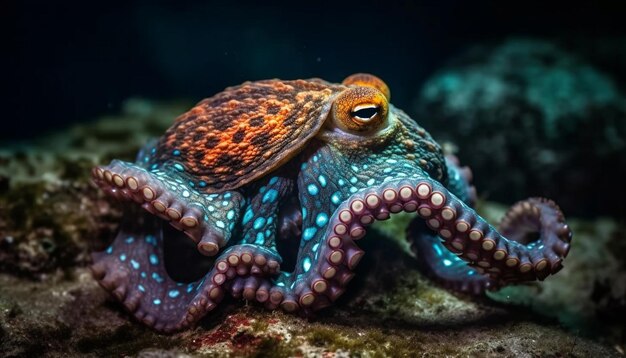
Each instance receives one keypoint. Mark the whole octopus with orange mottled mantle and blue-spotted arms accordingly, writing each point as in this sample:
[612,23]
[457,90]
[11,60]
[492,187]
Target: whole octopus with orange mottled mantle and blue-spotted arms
[267,188]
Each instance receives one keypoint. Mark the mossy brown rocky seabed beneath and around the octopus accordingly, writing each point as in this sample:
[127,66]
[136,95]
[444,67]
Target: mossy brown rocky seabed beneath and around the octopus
[50,215]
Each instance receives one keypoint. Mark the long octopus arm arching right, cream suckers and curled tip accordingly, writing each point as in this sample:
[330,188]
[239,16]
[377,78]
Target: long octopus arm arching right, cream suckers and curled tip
[480,256]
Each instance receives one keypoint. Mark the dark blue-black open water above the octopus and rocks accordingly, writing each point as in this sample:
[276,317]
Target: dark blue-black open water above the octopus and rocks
[71,61]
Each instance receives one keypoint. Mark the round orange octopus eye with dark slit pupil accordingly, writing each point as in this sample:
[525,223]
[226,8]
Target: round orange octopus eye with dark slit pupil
[360,109]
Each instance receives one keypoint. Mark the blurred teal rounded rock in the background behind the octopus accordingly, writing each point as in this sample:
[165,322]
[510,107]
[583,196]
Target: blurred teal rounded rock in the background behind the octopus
[532,119]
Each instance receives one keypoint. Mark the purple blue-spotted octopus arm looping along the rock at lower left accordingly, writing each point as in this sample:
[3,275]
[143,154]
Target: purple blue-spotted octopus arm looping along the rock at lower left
[133,270]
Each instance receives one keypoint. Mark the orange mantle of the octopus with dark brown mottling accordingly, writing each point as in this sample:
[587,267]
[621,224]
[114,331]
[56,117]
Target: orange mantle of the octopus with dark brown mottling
[246,131]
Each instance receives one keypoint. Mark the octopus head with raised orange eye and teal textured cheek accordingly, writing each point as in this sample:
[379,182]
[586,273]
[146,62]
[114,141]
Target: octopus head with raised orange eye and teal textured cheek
[362,123]
